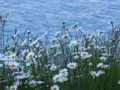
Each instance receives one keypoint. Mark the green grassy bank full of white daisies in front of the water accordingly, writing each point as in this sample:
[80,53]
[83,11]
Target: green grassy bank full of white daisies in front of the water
[73,60]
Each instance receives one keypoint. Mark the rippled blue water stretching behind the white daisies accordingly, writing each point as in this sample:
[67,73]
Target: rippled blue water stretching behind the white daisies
[46,15]
